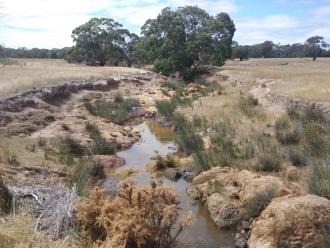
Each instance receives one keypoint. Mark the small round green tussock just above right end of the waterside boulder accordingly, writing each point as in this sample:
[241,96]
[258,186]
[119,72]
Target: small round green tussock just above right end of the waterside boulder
[269,162]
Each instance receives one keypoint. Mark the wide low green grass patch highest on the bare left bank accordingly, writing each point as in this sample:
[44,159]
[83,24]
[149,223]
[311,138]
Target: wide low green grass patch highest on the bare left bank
[116,111]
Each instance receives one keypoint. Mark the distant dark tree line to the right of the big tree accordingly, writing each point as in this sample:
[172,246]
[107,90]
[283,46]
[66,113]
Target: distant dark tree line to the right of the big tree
[313,47]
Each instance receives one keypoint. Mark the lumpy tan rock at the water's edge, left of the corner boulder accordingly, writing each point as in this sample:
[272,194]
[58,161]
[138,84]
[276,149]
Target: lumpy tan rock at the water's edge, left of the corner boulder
[234,189]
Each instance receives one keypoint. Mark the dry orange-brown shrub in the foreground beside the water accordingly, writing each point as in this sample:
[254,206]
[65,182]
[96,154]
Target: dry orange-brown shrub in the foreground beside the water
[139,216]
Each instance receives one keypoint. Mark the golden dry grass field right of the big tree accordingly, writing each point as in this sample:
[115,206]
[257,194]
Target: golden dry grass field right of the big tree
[295,77]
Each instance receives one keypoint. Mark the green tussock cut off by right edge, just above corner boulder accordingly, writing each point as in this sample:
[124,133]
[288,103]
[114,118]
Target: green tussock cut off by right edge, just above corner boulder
[318,179]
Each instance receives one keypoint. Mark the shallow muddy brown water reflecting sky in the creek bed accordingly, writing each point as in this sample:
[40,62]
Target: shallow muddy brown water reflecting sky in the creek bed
[202,233]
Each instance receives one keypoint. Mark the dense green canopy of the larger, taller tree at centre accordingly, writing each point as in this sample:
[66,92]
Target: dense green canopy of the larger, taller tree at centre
[186,39]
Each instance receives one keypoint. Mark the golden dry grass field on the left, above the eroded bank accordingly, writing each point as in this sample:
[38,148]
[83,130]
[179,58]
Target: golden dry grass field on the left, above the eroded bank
[29,73]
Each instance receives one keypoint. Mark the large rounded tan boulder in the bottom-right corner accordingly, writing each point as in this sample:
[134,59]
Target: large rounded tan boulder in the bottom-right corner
[292,221]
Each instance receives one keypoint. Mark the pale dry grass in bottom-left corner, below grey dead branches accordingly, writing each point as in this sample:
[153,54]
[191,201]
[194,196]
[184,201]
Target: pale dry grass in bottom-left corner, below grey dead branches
[19,233]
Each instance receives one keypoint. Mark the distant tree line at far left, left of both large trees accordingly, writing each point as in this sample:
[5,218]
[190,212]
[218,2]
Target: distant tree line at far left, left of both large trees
[23,52]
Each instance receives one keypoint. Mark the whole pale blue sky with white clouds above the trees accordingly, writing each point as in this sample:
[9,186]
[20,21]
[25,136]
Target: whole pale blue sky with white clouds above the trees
[48,23]
